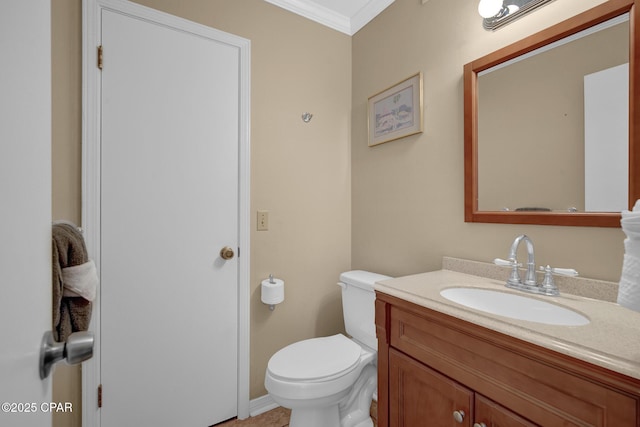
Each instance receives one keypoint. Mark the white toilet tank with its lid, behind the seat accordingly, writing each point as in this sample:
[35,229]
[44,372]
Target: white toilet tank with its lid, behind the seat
[358,305]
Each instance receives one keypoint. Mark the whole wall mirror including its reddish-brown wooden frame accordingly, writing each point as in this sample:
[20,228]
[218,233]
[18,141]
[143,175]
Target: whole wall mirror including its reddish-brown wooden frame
[546,141]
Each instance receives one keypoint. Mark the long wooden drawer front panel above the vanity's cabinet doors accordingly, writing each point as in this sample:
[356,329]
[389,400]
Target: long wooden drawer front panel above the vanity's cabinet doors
[508,371]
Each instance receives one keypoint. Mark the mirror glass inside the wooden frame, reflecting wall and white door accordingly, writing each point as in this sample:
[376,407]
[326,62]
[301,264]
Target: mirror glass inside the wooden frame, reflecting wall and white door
[534,114]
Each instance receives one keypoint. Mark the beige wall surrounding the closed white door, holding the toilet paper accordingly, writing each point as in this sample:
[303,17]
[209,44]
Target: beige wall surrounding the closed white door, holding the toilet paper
[300,172]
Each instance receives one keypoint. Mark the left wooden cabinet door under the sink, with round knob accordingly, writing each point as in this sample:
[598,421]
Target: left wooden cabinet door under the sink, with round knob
[420,396]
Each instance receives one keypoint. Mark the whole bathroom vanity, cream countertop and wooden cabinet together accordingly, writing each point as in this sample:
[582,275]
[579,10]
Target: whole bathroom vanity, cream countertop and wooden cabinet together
[443,364]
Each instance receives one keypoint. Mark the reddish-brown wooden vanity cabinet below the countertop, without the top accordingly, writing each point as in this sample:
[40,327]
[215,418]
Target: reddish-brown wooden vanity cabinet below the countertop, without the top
[431,365]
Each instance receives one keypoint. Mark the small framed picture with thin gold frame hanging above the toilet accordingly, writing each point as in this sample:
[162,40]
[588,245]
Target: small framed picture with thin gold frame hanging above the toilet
[396,112]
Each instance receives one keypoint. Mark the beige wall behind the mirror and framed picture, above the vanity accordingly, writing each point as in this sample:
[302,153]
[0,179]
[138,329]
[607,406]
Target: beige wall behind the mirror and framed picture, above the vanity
[407,199]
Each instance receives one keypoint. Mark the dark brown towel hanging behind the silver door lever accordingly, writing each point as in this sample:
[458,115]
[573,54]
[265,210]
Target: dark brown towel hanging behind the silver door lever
[70,314]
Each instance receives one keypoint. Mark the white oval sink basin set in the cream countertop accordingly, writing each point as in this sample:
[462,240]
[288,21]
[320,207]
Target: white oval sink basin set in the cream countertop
[514,306]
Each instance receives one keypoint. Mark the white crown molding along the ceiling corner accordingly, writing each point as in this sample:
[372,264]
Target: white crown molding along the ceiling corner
[332,19]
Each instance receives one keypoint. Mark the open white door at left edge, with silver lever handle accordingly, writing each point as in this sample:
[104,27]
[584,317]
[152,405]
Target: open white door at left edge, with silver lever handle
[25,222]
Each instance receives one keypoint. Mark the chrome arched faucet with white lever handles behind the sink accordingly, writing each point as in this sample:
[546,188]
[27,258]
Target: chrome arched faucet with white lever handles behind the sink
[547,286]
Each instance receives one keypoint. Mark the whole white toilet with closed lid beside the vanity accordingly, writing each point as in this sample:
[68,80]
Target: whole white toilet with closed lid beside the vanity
[330,381]
